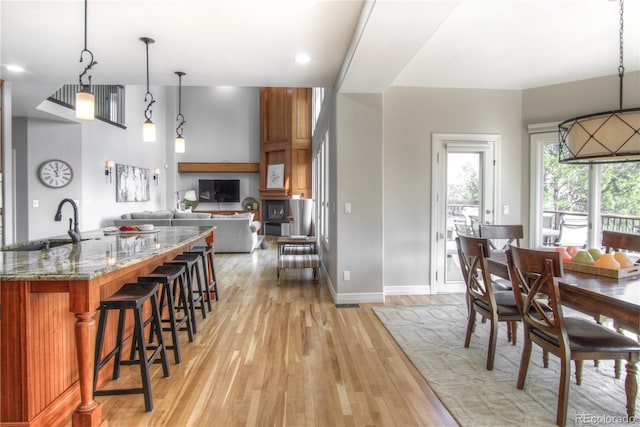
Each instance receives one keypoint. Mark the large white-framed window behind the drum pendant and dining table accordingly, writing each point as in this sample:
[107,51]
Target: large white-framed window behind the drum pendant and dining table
[572,204]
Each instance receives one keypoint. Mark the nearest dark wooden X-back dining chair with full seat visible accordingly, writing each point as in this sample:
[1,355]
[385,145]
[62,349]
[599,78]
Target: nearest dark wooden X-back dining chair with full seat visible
[569,338]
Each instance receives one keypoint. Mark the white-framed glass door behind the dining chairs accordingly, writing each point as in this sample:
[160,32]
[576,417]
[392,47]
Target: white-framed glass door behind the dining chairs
[464,177]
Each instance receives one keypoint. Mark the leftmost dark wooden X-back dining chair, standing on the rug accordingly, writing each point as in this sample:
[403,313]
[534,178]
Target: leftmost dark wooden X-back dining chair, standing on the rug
[493,305]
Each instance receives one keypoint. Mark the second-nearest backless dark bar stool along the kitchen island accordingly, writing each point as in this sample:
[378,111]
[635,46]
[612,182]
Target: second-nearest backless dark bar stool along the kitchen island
[173,285]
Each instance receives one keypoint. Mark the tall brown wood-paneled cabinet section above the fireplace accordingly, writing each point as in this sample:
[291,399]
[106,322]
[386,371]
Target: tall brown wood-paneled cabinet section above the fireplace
[285,139]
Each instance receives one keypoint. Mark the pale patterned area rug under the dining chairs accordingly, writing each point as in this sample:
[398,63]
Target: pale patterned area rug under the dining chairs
[432,337]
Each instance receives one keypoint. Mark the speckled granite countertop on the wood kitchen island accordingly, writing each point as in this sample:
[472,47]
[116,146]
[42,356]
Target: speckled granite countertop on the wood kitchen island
[99,252]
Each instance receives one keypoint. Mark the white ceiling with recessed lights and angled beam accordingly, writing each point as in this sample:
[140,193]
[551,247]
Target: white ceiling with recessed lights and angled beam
[492,44]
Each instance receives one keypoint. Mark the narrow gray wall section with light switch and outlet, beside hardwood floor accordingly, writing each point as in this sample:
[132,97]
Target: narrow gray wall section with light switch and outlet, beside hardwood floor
[359,151]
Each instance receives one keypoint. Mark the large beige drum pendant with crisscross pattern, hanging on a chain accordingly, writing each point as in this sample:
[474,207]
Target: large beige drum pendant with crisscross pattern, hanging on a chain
[606,137]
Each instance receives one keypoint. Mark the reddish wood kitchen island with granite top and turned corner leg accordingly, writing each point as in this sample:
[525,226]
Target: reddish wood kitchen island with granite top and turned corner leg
[49,299]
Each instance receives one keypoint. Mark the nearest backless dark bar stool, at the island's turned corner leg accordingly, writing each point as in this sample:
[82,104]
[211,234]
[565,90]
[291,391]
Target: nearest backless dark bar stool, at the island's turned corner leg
[131,296]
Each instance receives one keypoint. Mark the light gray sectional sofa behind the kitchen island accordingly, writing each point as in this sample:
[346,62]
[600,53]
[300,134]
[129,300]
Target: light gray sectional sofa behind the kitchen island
[234,233]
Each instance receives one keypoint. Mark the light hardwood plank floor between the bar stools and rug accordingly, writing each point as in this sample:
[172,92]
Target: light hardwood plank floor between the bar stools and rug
[282,354]
